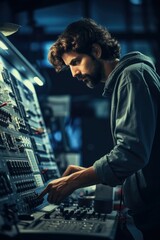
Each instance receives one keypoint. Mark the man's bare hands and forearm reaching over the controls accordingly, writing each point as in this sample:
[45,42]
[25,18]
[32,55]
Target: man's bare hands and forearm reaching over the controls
[73,178]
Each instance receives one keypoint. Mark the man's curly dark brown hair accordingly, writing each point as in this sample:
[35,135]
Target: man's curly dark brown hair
[79,37]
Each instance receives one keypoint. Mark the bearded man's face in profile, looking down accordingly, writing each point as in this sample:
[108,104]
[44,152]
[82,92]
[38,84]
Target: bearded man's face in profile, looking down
[84,67]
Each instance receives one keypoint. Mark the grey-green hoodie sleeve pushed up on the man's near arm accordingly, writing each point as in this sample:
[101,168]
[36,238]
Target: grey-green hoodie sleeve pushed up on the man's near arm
[134,119]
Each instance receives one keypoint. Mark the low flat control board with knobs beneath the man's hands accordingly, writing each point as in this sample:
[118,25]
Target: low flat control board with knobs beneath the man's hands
[71,221]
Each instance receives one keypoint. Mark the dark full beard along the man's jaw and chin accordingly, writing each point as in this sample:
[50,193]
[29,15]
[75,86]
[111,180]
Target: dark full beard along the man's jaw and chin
[94,78]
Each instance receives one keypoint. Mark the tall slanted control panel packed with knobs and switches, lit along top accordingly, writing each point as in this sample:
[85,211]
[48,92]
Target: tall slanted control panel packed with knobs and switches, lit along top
[27,160]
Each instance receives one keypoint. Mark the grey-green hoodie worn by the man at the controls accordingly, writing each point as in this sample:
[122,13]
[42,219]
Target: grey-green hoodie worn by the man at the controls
[134,161]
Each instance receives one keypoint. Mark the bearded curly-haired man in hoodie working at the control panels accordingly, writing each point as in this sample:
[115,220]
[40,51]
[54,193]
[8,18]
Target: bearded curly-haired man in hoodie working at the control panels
[133,85]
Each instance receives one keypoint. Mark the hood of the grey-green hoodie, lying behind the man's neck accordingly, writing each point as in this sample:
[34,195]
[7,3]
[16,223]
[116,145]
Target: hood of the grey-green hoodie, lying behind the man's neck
[127,60]
